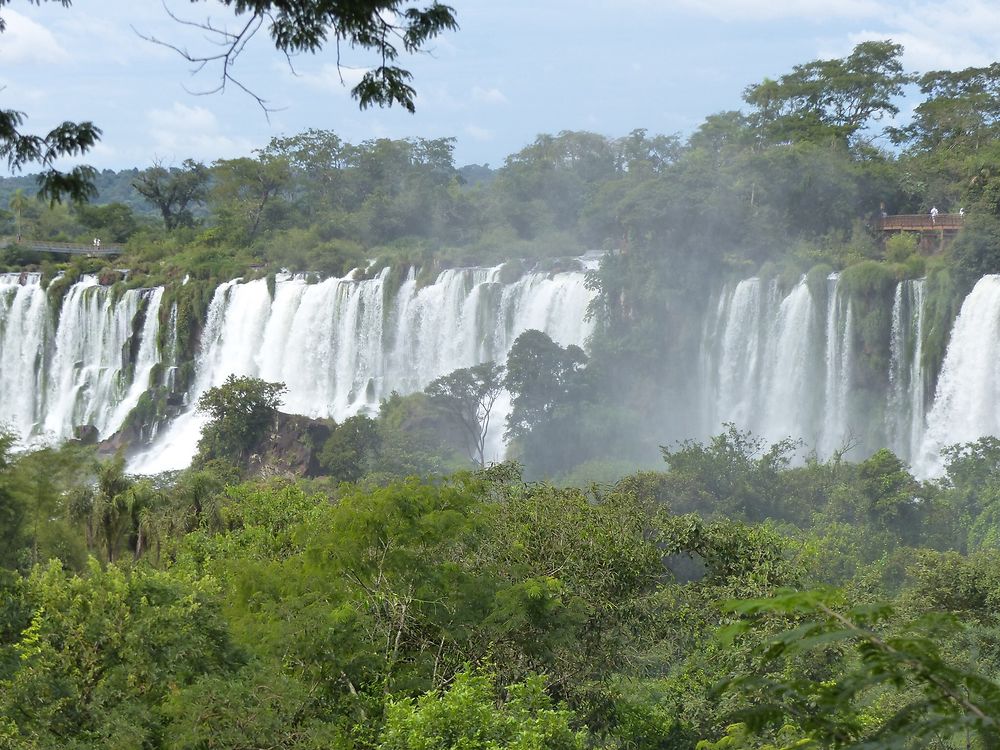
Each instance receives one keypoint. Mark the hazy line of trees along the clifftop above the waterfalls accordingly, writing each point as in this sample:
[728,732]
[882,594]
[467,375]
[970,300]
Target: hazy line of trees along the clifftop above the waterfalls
[813,154]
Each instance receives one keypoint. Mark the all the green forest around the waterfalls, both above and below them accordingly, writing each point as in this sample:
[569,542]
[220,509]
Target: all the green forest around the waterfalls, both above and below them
[379,583]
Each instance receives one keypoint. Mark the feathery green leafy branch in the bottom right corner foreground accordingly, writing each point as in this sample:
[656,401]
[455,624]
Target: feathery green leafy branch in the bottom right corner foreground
[880,690]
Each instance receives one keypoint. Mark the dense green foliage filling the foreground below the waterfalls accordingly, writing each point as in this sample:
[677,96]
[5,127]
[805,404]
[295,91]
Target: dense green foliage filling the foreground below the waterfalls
[386,615]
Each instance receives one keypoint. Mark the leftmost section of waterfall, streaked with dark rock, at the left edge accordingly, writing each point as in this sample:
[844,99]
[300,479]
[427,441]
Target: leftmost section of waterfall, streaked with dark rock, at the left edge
[82,372]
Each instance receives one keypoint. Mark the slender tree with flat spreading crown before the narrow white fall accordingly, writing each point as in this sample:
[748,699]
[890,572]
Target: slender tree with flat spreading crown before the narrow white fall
[467,396]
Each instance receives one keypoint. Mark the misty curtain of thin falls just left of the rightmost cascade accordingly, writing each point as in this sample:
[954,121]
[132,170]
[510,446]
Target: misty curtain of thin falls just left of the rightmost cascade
[784,365]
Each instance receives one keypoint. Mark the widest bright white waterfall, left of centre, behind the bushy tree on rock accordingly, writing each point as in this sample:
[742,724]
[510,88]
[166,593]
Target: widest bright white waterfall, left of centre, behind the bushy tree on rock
[342,345]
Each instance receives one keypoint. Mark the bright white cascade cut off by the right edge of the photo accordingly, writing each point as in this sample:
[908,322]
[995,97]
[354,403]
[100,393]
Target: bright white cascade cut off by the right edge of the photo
[967,399]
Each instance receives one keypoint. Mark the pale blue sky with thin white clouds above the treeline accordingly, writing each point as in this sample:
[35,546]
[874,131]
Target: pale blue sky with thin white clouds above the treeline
[515,69]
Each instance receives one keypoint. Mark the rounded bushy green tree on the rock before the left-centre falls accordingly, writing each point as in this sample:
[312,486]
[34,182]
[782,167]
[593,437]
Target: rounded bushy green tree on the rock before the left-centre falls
[240,410]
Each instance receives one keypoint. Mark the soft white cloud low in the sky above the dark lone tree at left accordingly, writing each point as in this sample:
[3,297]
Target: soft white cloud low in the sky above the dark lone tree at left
[183,132]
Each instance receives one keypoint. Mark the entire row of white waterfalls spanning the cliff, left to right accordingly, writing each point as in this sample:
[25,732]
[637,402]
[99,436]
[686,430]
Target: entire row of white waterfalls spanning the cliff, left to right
[776,361]
